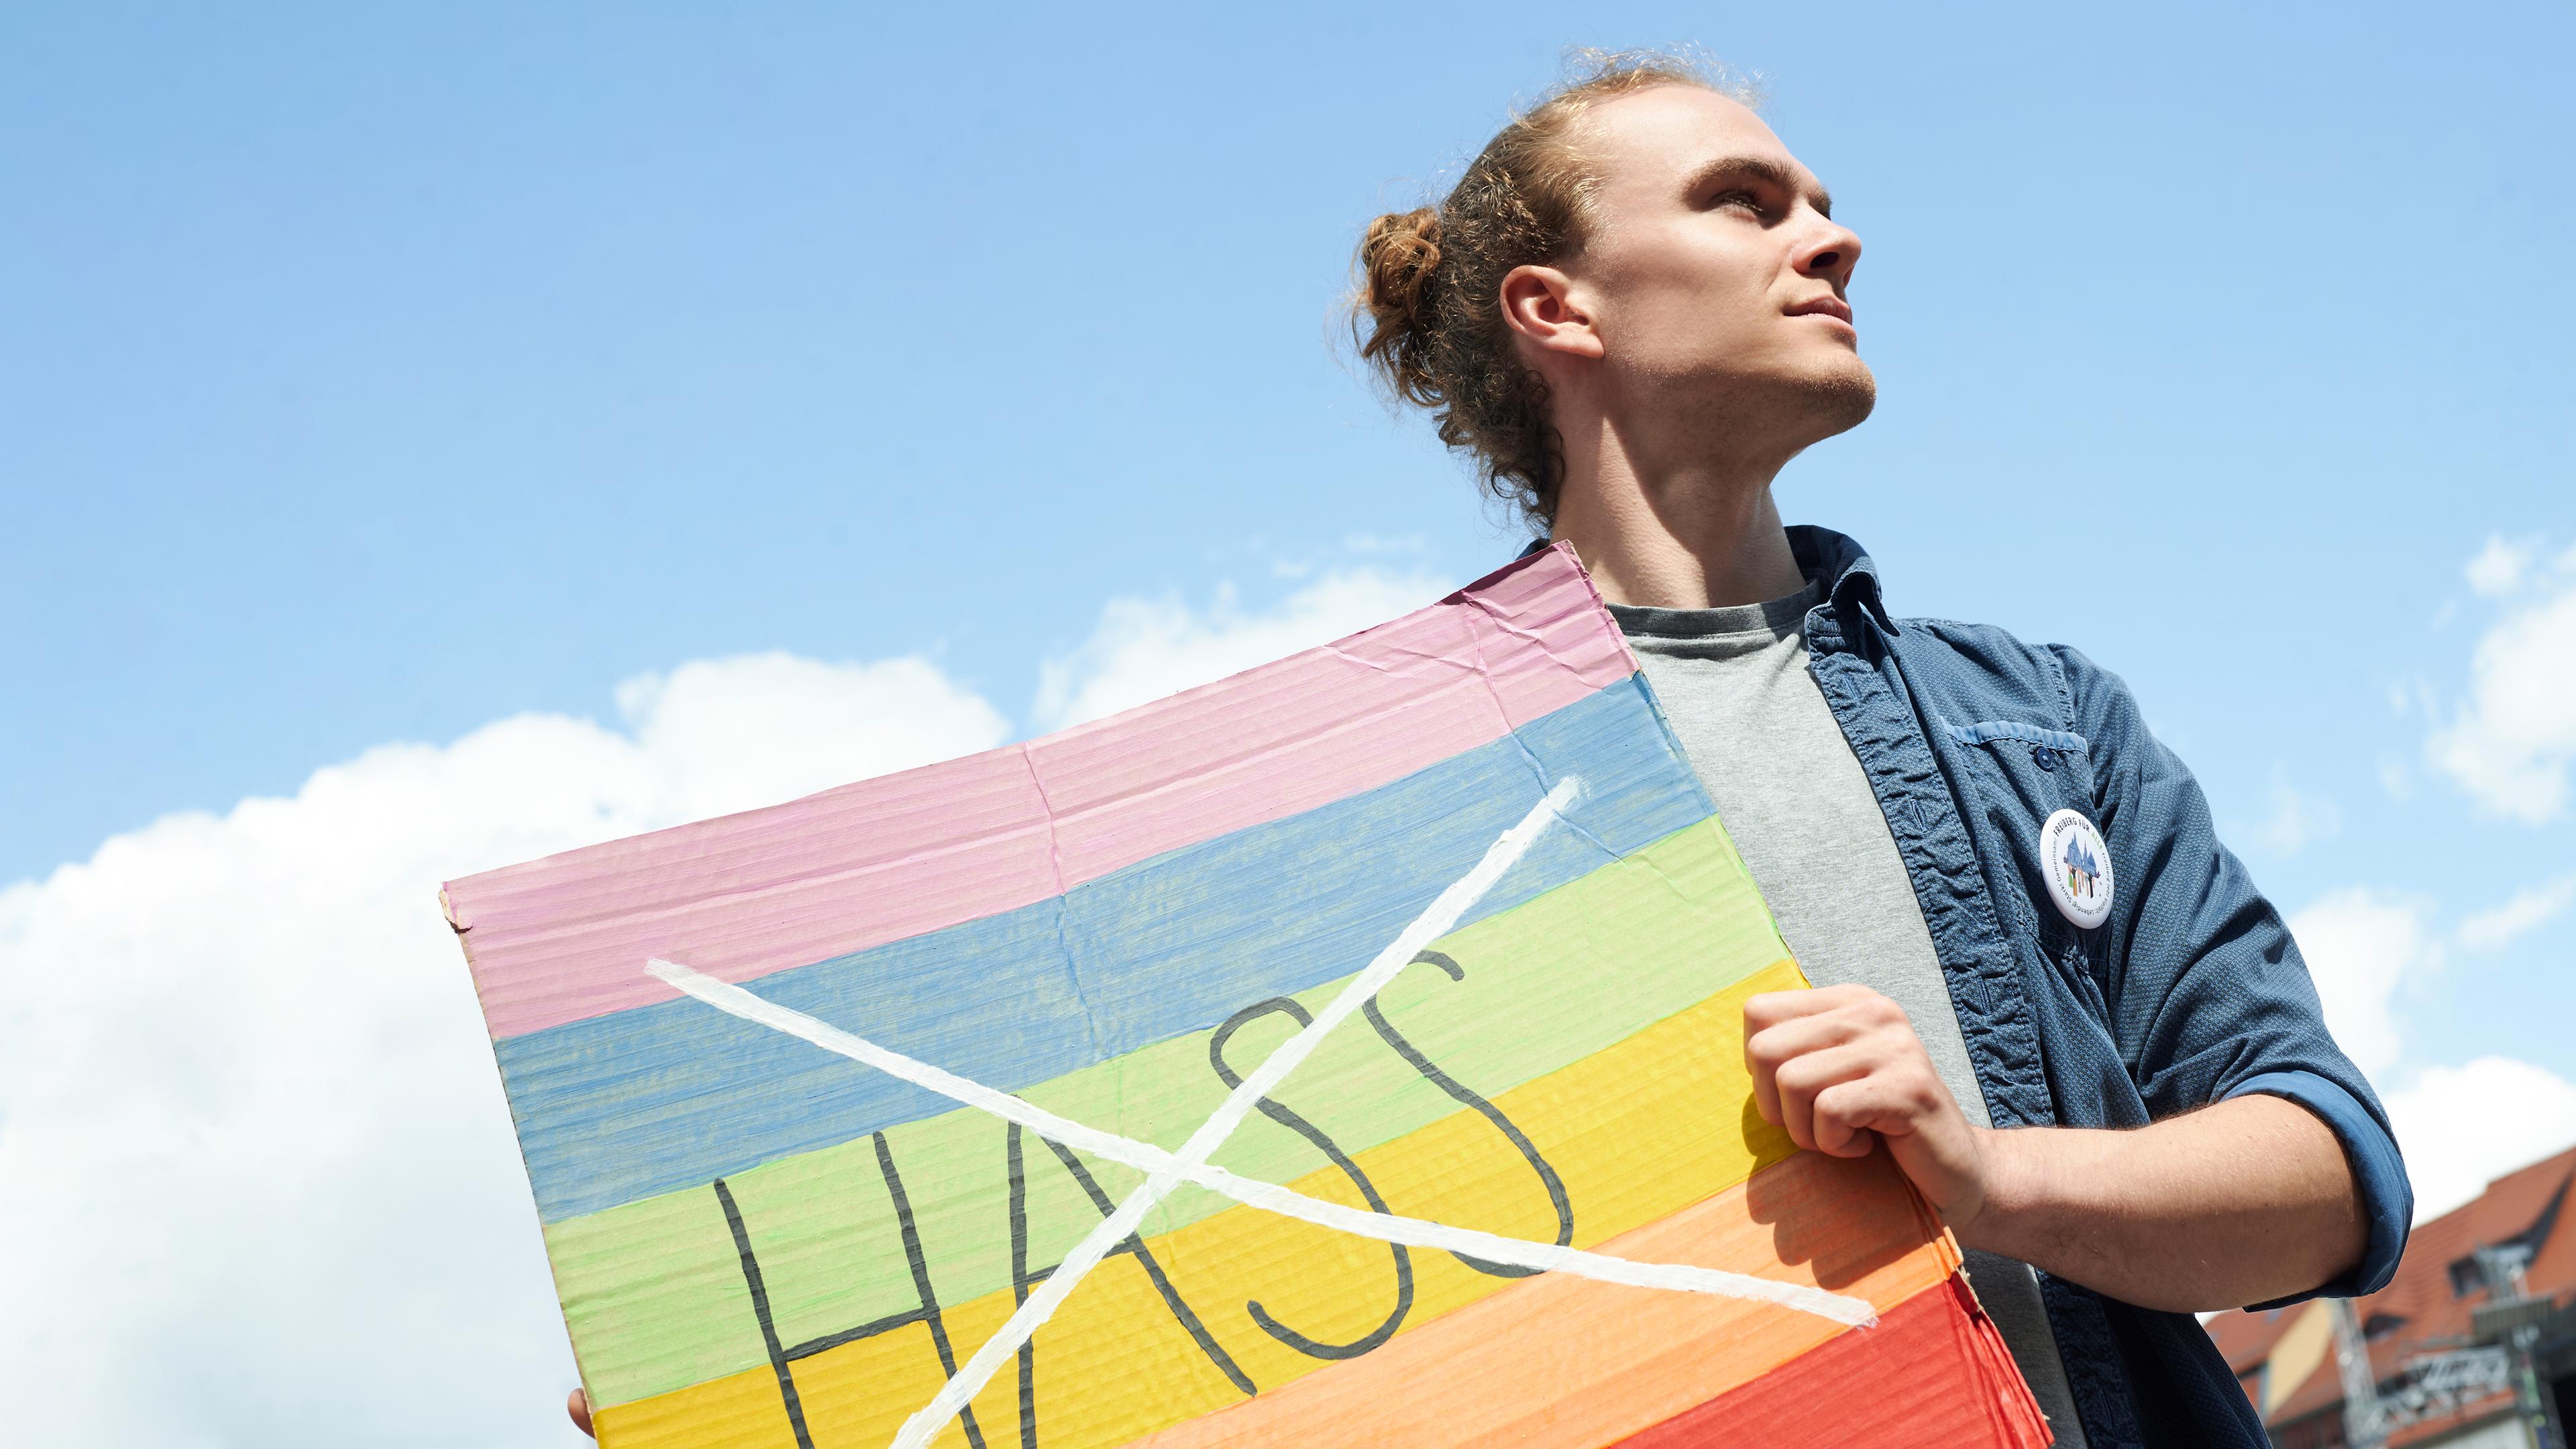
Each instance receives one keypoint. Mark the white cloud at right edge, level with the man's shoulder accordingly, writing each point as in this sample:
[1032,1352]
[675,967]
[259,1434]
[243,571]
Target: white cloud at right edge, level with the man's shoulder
[2515,734]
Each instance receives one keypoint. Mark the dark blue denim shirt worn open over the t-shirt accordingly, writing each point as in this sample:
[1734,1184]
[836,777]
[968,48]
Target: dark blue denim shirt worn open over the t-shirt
[2191,991]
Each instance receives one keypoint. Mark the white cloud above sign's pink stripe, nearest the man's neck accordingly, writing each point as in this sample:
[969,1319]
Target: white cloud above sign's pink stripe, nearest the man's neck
[1148,648]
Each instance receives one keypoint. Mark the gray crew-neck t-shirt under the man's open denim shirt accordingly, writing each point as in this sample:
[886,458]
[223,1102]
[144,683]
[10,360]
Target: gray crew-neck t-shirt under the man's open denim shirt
[1802,813]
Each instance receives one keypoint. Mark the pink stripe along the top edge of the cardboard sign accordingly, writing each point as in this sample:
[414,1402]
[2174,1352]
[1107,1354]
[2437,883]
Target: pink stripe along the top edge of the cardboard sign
[916,852]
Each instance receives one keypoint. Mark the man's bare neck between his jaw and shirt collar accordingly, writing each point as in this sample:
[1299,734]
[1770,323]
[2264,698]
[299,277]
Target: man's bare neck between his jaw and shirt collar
[1694,535]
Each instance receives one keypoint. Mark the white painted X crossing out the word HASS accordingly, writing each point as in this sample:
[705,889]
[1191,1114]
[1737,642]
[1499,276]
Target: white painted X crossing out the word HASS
[1166,1172]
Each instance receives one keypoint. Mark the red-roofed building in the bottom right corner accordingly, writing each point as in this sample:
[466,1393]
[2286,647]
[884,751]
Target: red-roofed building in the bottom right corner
[2469,1347]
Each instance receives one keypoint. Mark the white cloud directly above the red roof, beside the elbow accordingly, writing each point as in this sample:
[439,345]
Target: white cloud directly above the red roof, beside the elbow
[2469,1125]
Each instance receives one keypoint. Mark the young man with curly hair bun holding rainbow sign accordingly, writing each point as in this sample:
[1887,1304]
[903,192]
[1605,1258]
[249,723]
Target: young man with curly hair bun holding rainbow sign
[2047,989]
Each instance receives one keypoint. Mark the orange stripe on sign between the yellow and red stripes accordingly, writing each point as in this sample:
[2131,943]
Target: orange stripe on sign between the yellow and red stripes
[1575,1363]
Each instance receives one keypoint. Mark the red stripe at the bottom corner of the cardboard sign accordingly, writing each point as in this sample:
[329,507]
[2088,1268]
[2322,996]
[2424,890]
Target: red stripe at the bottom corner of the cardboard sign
[1936,1373]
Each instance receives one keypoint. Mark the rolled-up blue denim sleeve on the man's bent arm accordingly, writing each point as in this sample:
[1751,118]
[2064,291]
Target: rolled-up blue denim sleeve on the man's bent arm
[2209,997]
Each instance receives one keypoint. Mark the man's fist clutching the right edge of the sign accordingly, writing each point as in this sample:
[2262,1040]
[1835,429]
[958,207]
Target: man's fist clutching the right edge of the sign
[1843,1071]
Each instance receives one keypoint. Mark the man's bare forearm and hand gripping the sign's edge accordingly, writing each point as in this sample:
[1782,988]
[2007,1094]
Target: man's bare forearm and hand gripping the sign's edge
[2240,1203]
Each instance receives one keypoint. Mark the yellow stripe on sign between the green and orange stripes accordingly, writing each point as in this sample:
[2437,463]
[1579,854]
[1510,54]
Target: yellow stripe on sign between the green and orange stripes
[1637,1133]
